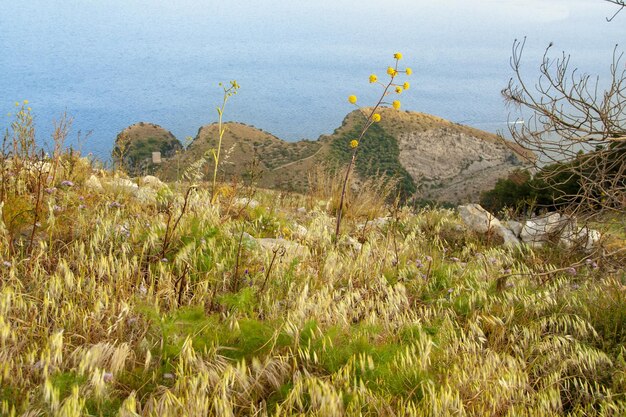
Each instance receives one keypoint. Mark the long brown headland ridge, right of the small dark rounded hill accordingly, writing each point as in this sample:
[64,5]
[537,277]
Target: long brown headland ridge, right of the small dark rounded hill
[434,158]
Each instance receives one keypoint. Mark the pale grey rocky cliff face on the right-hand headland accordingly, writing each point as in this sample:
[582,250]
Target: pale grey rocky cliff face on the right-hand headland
[453,165]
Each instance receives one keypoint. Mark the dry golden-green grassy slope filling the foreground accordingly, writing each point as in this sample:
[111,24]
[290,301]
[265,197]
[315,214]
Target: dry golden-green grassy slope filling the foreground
[423,319]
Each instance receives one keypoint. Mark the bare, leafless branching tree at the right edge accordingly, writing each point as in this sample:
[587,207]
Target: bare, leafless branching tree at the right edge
[577,126]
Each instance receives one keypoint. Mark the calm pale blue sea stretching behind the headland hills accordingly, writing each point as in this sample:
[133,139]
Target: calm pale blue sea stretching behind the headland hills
[109,64]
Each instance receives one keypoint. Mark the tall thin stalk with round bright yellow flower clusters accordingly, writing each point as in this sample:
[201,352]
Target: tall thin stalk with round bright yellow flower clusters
[391,87]
